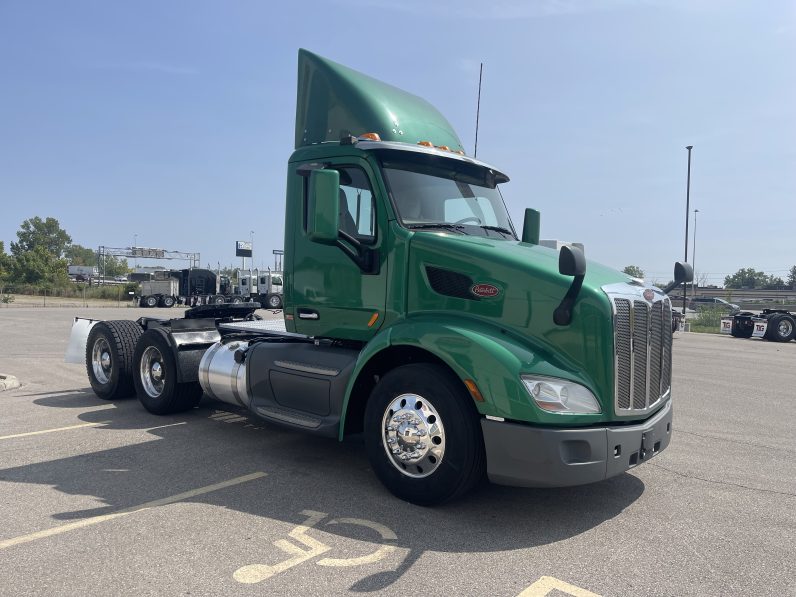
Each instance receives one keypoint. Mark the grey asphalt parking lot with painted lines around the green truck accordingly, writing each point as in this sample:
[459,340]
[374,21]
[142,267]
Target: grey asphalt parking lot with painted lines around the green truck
[100,498]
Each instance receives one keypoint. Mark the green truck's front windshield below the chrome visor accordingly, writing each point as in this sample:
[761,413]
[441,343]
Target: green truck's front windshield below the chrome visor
[444,200]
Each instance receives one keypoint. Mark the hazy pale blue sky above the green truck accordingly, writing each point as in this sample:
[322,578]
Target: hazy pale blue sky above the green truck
[174,120]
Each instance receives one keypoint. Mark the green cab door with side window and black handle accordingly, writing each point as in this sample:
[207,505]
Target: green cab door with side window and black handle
[330,294]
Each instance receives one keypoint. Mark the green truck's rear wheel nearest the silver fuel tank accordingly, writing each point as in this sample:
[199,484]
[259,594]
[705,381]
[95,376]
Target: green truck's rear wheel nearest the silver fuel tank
[155,377]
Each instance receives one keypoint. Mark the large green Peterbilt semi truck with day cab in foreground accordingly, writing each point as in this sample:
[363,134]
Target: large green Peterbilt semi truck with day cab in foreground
[415,315]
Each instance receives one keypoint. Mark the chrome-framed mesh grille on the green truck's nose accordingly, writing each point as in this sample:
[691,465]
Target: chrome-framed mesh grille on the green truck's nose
[643,349]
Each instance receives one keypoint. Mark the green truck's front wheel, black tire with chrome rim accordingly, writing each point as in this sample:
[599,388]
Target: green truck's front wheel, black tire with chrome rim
[423,435]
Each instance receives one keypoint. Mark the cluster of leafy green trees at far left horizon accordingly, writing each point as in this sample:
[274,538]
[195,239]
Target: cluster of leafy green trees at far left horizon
[43,251]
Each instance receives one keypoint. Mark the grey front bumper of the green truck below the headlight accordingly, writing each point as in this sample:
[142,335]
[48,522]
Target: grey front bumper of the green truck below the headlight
[525,456]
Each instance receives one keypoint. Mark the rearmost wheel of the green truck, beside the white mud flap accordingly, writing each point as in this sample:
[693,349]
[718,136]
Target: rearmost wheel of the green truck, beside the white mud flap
[109,358]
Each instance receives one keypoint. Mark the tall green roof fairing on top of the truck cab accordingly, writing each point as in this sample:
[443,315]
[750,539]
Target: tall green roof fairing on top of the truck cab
[334,101]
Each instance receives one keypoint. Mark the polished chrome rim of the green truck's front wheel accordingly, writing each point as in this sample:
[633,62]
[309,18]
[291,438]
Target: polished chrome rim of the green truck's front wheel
[413,436]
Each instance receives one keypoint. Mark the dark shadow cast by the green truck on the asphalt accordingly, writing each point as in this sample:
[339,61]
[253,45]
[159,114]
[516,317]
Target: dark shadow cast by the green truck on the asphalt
[211,444]
